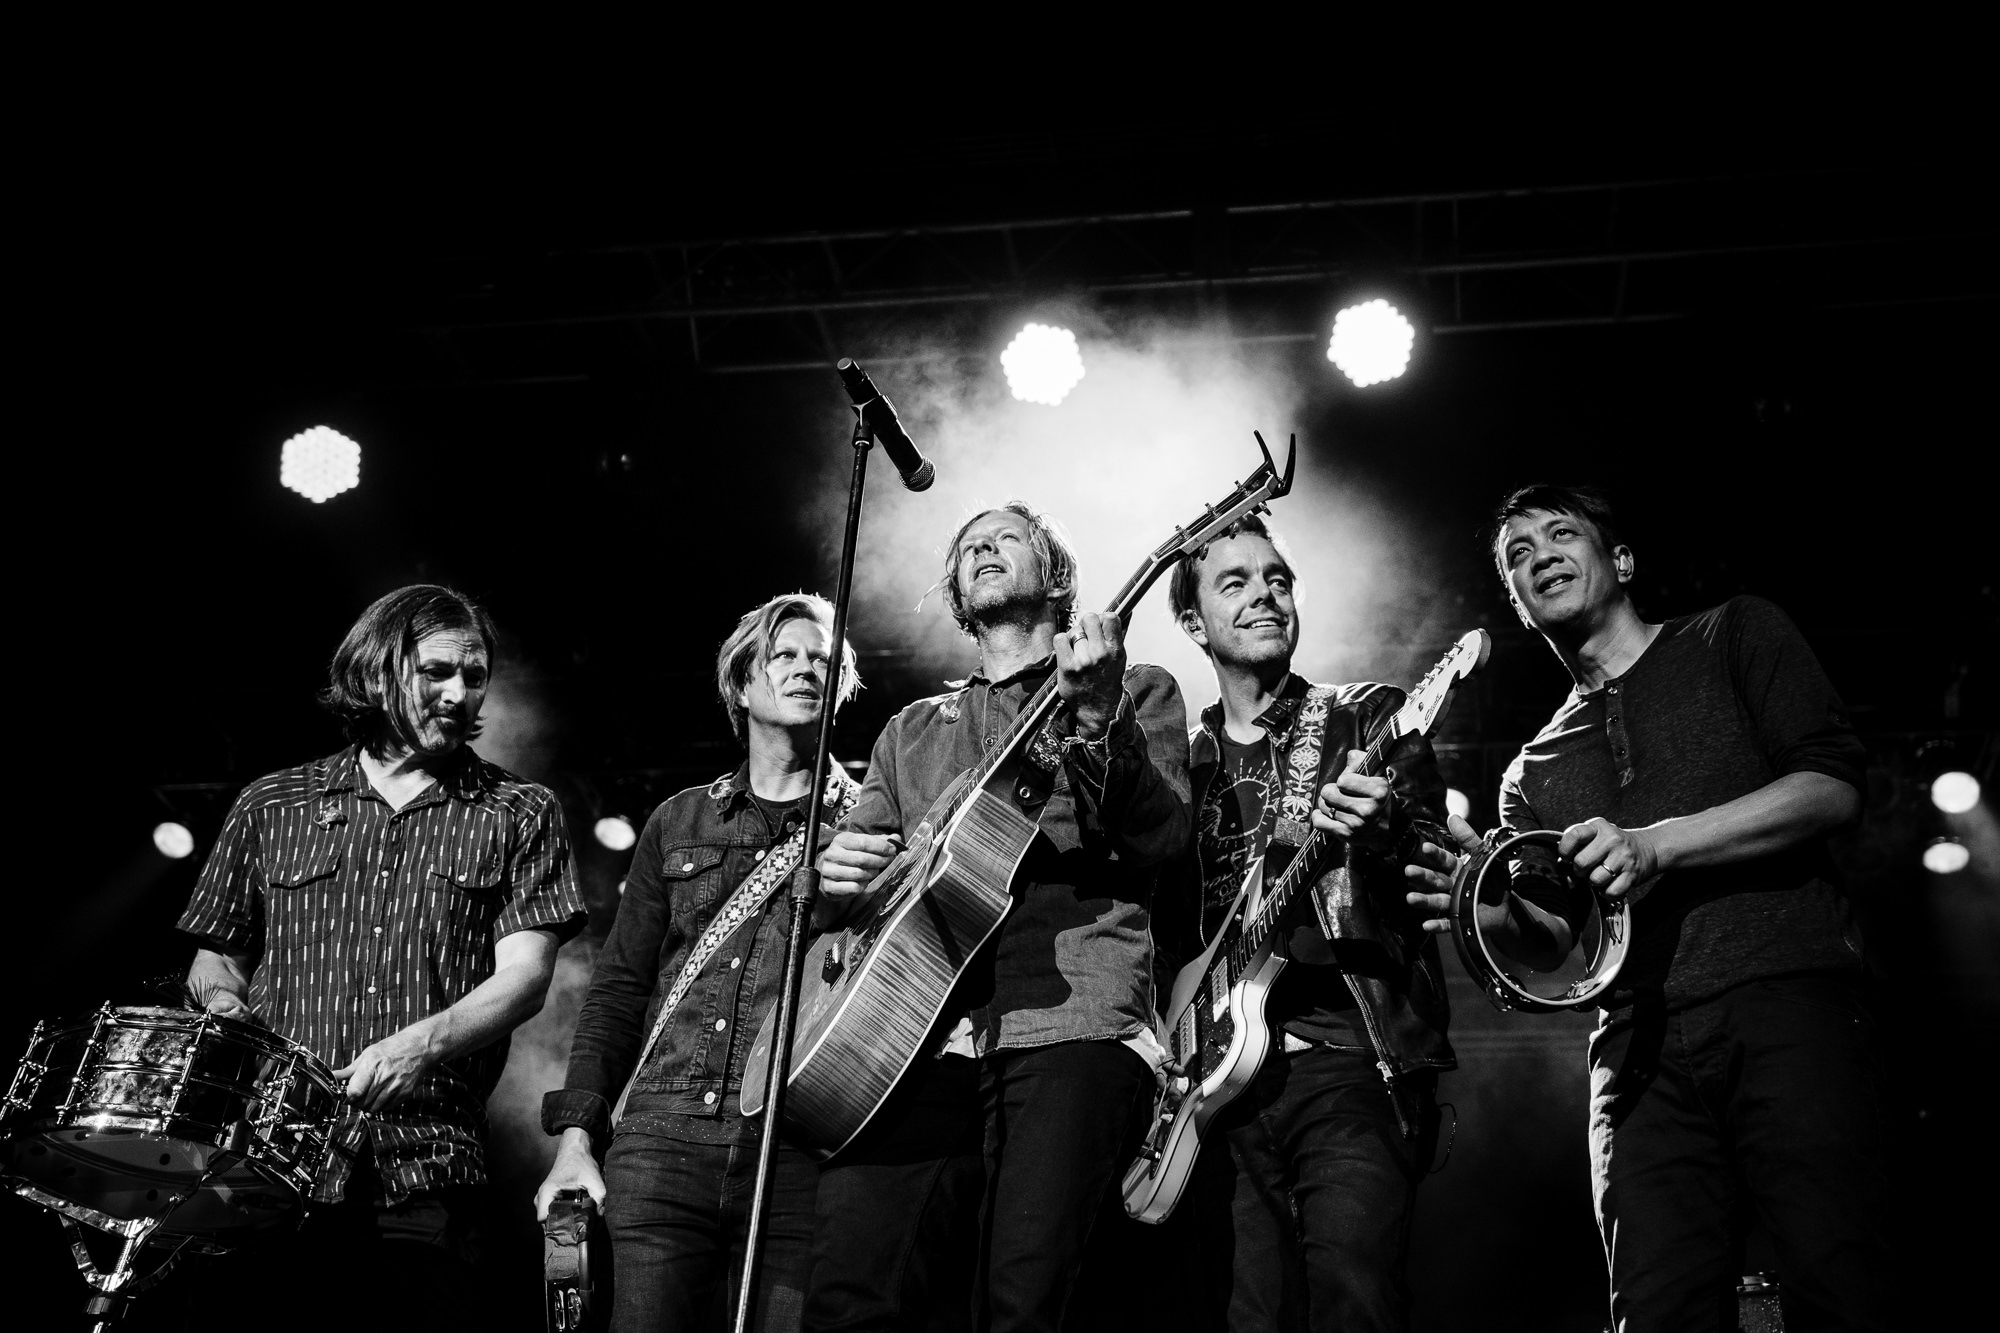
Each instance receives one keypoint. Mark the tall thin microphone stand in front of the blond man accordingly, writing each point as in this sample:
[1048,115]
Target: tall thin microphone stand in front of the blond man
[803,892]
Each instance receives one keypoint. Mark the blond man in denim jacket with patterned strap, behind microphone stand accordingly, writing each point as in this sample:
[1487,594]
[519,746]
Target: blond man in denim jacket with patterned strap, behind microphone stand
[691,968]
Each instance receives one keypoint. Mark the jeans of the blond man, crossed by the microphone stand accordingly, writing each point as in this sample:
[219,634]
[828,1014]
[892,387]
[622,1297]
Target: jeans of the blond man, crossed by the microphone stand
[679,1216]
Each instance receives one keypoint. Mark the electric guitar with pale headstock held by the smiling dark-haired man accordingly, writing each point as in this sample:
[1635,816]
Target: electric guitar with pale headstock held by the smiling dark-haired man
[1215,1018]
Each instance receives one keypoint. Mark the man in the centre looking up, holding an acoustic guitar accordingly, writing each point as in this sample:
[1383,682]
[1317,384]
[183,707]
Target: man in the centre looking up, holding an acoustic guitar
[1061,1008]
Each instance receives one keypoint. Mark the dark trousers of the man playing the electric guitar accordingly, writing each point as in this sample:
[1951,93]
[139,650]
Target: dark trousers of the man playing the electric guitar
[1307,1190]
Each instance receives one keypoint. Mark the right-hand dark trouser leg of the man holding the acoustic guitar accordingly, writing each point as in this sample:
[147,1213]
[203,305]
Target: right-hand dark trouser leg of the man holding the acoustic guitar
[1061,1126]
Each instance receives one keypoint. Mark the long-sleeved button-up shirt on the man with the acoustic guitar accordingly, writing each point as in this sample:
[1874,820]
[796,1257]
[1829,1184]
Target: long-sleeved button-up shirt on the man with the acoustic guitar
[1073,962]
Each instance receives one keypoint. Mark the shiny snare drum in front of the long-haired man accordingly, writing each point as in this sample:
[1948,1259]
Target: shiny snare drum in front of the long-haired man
[109,1118]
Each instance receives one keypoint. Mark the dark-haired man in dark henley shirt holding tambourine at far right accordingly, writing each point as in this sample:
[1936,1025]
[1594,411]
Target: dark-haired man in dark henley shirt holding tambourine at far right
[1699,768]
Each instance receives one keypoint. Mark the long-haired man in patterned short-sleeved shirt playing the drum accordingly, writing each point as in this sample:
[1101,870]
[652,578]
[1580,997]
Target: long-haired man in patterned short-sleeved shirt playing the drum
[395,910]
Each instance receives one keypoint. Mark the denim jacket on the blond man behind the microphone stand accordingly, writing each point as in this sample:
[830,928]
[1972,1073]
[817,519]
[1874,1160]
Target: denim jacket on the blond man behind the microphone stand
[695,854]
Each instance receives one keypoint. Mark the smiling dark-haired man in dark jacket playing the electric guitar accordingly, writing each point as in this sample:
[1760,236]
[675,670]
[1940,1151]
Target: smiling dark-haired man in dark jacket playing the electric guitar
[1307,1186]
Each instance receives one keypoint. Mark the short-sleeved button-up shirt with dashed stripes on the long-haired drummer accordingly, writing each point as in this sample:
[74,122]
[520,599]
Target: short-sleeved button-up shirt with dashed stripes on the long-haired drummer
[365,920]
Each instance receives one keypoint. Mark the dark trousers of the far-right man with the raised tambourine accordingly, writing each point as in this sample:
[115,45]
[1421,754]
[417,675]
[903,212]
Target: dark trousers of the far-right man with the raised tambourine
[1769,1102]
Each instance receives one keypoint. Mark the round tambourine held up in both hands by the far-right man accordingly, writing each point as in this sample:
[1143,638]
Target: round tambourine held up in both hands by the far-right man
[1509,982]
